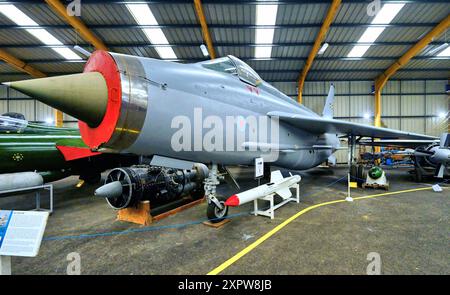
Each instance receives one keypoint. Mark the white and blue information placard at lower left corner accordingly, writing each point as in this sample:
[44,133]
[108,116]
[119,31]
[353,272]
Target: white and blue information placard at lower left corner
[21,232]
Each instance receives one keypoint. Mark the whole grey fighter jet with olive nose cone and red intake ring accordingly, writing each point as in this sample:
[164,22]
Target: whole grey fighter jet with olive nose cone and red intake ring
[217,112]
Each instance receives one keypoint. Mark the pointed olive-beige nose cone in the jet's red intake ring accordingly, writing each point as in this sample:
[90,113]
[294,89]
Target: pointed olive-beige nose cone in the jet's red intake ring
[83,96]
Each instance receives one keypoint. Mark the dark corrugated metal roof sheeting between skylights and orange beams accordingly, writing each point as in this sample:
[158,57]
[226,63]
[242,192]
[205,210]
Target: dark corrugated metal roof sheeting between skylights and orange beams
[298,23]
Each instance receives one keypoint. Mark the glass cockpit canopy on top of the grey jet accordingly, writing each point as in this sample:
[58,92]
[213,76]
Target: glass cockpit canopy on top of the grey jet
[234,66]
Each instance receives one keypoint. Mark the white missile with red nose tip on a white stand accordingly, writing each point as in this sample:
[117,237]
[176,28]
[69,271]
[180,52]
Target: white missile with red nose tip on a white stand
[278,185]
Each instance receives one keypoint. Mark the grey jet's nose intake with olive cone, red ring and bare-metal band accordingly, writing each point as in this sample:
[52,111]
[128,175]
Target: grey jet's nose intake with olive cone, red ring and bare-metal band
[109,98]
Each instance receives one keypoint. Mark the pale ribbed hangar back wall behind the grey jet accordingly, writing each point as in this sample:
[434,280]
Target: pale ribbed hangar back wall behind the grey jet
[409,105]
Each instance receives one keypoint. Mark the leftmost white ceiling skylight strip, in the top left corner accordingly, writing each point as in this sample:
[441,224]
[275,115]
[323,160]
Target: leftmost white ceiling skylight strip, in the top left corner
[21,19]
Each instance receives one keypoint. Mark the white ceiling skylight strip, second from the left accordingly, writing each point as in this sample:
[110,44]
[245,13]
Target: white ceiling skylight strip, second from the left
[144,17]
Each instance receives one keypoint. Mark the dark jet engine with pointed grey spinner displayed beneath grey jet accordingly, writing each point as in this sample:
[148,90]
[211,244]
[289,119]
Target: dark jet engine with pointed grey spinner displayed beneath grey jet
[126,187]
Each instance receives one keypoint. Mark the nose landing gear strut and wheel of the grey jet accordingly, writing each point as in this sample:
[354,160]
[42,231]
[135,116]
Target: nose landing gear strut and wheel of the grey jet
[216,211]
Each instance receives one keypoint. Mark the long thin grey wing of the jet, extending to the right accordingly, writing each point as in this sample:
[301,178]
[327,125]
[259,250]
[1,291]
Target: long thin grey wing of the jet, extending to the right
[320,125]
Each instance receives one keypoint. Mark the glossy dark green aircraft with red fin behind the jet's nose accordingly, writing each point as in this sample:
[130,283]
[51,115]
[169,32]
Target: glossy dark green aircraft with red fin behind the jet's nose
[53,152]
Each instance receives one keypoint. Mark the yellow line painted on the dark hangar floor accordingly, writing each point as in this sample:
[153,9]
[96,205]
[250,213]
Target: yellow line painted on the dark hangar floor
[261,240]
